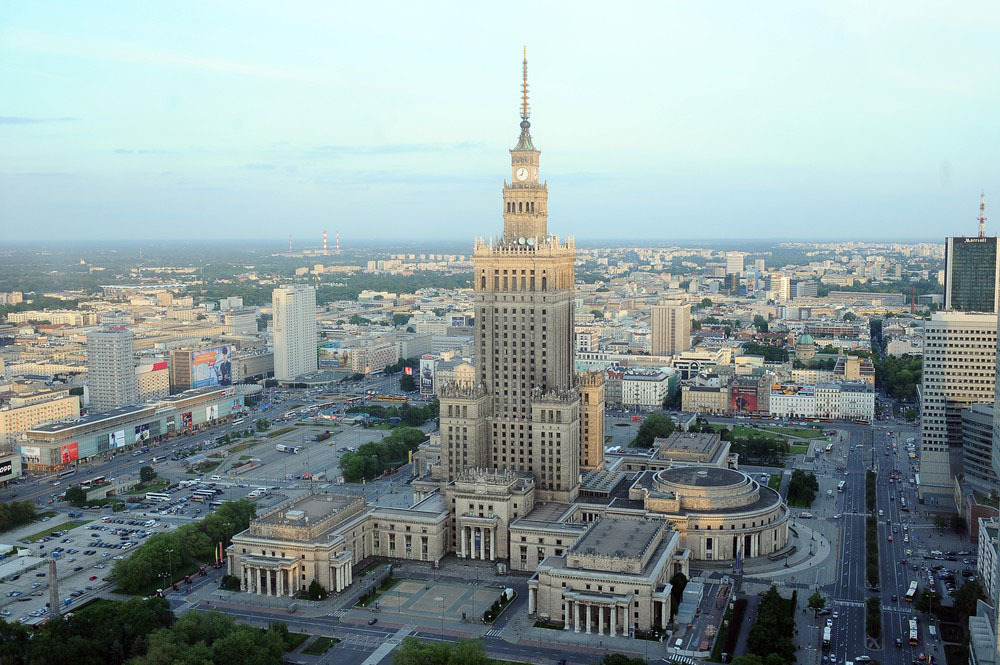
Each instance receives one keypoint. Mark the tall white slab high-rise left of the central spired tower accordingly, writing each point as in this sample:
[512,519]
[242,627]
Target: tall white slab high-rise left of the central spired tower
[295,337]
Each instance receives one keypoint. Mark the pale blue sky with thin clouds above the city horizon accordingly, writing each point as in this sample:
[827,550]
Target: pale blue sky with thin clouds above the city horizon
[392,120]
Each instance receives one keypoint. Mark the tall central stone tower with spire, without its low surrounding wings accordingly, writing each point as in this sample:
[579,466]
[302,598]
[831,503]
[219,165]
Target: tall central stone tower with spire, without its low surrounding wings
[527,395]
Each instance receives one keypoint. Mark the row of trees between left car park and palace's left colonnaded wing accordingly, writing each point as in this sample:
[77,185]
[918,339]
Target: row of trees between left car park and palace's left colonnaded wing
[179,549]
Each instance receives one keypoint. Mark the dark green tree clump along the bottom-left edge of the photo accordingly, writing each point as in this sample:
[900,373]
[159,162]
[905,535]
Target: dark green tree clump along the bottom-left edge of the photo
[142,632]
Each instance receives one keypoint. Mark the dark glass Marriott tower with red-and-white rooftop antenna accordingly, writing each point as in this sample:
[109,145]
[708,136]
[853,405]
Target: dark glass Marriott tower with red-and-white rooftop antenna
[972,270]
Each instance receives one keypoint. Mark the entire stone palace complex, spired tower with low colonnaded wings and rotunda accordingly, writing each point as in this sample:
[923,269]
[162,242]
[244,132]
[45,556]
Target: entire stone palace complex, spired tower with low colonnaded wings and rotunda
[517,474]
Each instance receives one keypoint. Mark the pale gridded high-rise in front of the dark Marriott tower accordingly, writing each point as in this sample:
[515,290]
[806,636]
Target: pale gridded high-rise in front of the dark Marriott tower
[959,369]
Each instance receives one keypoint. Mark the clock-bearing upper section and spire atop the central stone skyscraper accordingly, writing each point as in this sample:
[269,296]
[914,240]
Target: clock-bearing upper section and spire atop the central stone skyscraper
[525,199]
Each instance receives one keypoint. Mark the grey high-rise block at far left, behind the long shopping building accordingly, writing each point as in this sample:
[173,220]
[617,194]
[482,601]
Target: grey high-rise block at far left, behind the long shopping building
[111,367]
